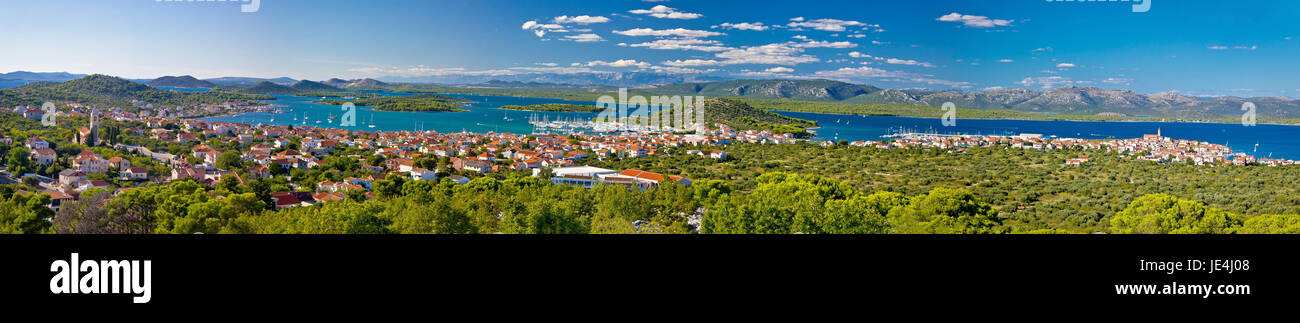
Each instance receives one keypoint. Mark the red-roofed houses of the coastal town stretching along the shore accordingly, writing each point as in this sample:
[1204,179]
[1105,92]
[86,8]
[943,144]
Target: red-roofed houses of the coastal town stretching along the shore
[267,152]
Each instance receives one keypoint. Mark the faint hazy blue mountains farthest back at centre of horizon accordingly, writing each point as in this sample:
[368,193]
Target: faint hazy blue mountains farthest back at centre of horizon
[606,79]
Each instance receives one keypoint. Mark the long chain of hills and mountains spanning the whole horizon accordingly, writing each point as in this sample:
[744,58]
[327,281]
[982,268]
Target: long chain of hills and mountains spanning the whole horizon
[1063,101]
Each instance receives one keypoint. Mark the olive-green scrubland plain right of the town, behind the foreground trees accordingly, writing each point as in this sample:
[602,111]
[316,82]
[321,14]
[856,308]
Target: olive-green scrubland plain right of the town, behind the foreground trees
[1032,191]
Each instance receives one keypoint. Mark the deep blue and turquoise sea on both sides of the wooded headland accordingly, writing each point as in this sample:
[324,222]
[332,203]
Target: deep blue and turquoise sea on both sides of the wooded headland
[486,115]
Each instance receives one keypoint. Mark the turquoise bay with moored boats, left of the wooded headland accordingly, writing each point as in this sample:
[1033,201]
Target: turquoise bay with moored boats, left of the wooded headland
[484,115]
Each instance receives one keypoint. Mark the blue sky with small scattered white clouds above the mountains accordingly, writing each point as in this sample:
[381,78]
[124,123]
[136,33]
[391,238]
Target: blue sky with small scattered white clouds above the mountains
[1194,48]
